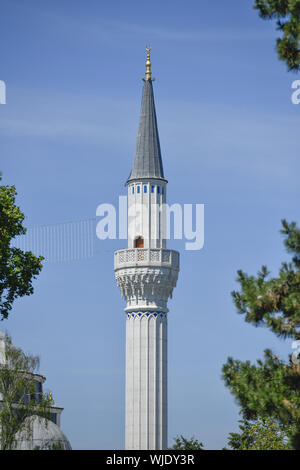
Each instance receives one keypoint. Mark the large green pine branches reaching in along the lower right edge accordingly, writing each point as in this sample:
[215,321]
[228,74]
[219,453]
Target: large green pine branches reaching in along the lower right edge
[271,387]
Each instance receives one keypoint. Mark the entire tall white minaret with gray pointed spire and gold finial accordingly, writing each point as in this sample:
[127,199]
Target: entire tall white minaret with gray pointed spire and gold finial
[146,273]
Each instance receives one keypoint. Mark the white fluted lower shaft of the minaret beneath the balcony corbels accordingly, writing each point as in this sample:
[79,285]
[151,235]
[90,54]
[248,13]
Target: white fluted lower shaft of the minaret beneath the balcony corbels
[146,381]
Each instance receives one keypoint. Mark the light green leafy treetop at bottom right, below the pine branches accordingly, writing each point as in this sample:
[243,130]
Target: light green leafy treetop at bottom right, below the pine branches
[262,434]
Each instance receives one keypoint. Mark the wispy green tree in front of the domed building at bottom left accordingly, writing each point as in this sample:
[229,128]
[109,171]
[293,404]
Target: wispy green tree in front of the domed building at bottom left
[18,397]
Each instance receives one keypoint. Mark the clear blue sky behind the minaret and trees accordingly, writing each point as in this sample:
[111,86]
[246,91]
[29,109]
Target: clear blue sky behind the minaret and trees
[230,140]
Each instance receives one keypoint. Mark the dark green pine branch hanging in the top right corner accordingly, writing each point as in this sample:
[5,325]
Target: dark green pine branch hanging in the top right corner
[287,14]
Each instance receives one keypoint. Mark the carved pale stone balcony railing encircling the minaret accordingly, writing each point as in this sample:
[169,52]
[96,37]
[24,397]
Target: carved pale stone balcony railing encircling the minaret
[146,257]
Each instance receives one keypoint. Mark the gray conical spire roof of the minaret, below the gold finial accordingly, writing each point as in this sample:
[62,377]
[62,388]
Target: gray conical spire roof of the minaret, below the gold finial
[147,161]
